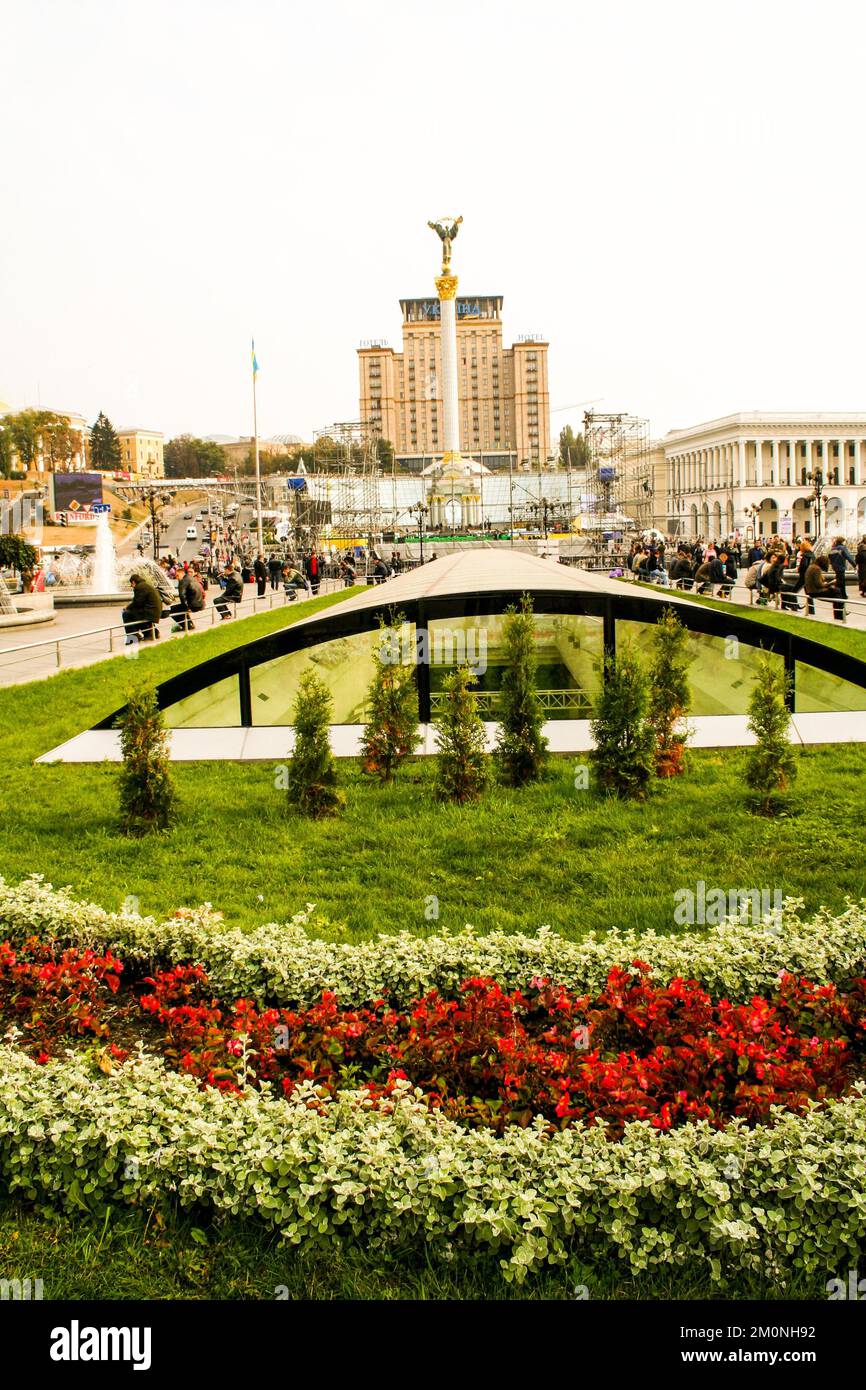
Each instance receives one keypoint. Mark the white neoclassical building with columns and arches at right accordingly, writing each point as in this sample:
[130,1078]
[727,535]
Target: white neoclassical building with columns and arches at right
[755,473]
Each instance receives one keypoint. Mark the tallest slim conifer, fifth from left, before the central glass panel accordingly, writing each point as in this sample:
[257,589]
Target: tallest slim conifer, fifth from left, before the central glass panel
[522,749]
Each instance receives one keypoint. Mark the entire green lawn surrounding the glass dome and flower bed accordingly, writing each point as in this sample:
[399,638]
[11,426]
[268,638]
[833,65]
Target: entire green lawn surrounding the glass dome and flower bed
[550,854]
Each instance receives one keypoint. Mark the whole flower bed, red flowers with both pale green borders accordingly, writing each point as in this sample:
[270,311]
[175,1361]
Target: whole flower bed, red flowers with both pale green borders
[397,1167]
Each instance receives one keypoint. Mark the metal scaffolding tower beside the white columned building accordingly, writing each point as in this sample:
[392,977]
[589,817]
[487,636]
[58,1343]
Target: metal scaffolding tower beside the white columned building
[619,476]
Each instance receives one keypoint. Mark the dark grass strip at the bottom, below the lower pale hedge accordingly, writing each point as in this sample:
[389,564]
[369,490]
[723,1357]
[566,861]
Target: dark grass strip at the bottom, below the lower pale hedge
[144,1256]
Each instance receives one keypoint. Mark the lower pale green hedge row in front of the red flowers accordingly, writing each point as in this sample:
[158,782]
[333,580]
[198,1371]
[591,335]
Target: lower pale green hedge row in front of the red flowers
[776,1202]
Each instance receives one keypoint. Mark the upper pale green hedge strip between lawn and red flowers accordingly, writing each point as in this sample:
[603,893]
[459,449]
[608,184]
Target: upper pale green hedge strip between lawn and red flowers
[283,965]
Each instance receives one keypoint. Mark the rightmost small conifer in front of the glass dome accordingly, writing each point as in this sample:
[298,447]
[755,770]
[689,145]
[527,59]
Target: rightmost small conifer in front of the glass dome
[771,762]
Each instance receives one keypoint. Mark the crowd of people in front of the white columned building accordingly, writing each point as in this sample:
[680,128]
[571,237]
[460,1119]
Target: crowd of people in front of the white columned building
[774,572]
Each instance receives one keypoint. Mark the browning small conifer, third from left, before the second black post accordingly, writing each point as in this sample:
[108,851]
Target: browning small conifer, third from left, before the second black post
[391,733]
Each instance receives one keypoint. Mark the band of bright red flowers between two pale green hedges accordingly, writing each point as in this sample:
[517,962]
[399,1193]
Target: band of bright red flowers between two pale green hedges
[637,1052]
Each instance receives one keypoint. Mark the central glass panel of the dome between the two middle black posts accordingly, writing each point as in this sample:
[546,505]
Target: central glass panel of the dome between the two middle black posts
[568,648]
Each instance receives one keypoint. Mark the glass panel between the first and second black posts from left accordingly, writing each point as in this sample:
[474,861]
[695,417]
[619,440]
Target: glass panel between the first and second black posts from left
[345,665]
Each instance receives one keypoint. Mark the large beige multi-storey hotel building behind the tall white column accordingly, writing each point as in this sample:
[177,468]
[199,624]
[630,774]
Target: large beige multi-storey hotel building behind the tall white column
[504,401]
